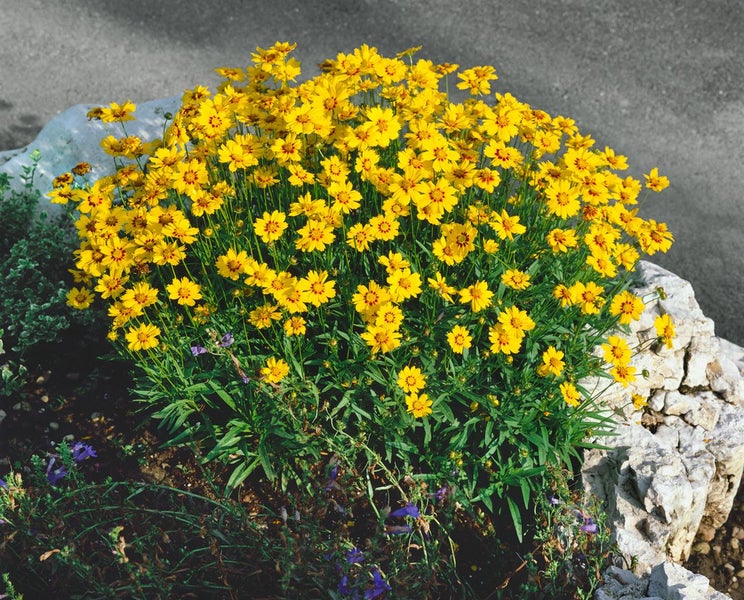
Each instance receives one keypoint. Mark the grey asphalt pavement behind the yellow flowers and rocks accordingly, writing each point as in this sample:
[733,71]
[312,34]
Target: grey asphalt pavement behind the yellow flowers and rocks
[661,82]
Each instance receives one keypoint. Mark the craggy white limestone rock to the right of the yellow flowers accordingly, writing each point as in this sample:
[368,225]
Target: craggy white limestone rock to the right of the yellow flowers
[671,472]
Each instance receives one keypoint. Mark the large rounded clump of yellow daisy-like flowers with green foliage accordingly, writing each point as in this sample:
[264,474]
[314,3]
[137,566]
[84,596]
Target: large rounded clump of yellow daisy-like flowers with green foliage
[356,261]
